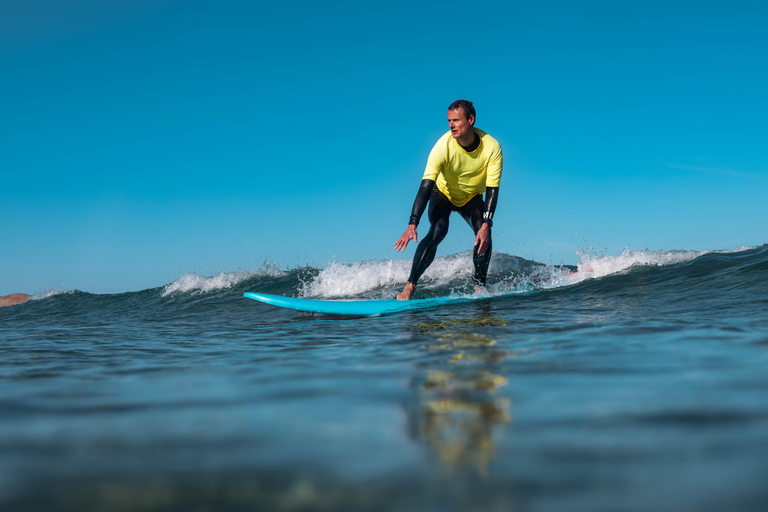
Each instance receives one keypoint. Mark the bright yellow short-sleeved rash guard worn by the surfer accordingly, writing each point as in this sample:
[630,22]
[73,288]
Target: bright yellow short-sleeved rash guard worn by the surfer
[461,175]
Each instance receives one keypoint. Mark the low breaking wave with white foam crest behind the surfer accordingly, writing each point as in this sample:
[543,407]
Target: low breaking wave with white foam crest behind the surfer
[671,272]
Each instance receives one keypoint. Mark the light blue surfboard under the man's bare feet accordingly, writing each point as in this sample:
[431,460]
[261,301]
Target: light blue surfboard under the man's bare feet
[358,307]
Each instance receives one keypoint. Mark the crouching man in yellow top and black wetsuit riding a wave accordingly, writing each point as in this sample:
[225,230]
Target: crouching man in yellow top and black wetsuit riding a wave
[464,163]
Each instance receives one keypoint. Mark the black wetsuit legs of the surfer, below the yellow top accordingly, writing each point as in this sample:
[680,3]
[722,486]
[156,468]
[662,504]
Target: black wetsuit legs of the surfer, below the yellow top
[439,211]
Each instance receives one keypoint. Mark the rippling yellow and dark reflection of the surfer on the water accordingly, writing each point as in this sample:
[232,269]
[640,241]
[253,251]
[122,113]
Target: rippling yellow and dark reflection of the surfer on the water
[459,404]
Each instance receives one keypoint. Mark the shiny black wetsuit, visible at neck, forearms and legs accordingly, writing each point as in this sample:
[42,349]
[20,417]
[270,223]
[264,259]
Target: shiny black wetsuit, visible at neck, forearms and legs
[476,212]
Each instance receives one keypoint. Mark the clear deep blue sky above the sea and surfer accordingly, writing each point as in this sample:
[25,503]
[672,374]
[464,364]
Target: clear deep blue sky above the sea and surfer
[141,140]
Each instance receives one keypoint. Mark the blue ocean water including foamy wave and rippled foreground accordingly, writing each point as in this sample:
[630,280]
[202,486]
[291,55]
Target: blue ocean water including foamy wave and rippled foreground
[637,383]
